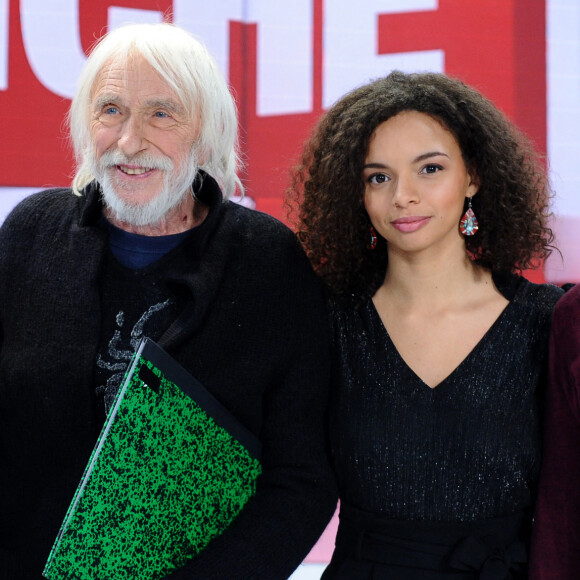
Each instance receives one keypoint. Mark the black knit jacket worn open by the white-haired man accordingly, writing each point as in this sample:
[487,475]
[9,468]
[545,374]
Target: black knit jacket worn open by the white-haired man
[254,333]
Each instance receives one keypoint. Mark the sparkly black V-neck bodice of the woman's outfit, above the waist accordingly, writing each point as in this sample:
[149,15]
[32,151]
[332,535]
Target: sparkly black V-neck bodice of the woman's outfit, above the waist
[466,450]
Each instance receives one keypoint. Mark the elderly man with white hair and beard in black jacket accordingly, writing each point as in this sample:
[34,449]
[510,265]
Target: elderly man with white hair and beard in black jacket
[145,245]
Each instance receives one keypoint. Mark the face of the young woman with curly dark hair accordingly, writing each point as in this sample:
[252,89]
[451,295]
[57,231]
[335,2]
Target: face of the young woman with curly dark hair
[416,183]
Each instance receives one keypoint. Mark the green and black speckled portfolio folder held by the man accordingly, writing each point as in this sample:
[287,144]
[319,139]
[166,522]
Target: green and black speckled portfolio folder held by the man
[172,468]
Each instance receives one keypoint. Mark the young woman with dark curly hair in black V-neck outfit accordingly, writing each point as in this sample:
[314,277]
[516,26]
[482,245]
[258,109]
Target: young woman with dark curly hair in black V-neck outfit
[418,204]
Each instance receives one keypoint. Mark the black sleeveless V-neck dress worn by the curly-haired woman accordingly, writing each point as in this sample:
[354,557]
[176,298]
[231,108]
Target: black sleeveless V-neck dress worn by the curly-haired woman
[420,470]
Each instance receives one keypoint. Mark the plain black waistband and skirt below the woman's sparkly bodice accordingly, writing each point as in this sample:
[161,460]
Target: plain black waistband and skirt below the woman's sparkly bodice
[372,547]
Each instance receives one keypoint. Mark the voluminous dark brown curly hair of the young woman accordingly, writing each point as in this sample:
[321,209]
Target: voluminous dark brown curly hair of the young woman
[326,195]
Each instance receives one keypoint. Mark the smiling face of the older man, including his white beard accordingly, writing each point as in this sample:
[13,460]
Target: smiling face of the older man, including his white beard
[143,142]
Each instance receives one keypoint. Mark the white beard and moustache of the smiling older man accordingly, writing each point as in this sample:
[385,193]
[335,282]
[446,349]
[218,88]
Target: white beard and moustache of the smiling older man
[176,185]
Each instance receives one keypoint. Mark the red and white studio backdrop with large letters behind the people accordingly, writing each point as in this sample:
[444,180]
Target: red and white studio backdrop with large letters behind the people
[286,63]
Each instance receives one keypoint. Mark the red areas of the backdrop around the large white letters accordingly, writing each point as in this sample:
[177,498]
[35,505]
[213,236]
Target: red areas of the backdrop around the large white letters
[496,45]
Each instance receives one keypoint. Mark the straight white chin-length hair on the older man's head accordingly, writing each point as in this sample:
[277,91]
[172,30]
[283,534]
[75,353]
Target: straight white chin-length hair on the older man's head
[190,71]
